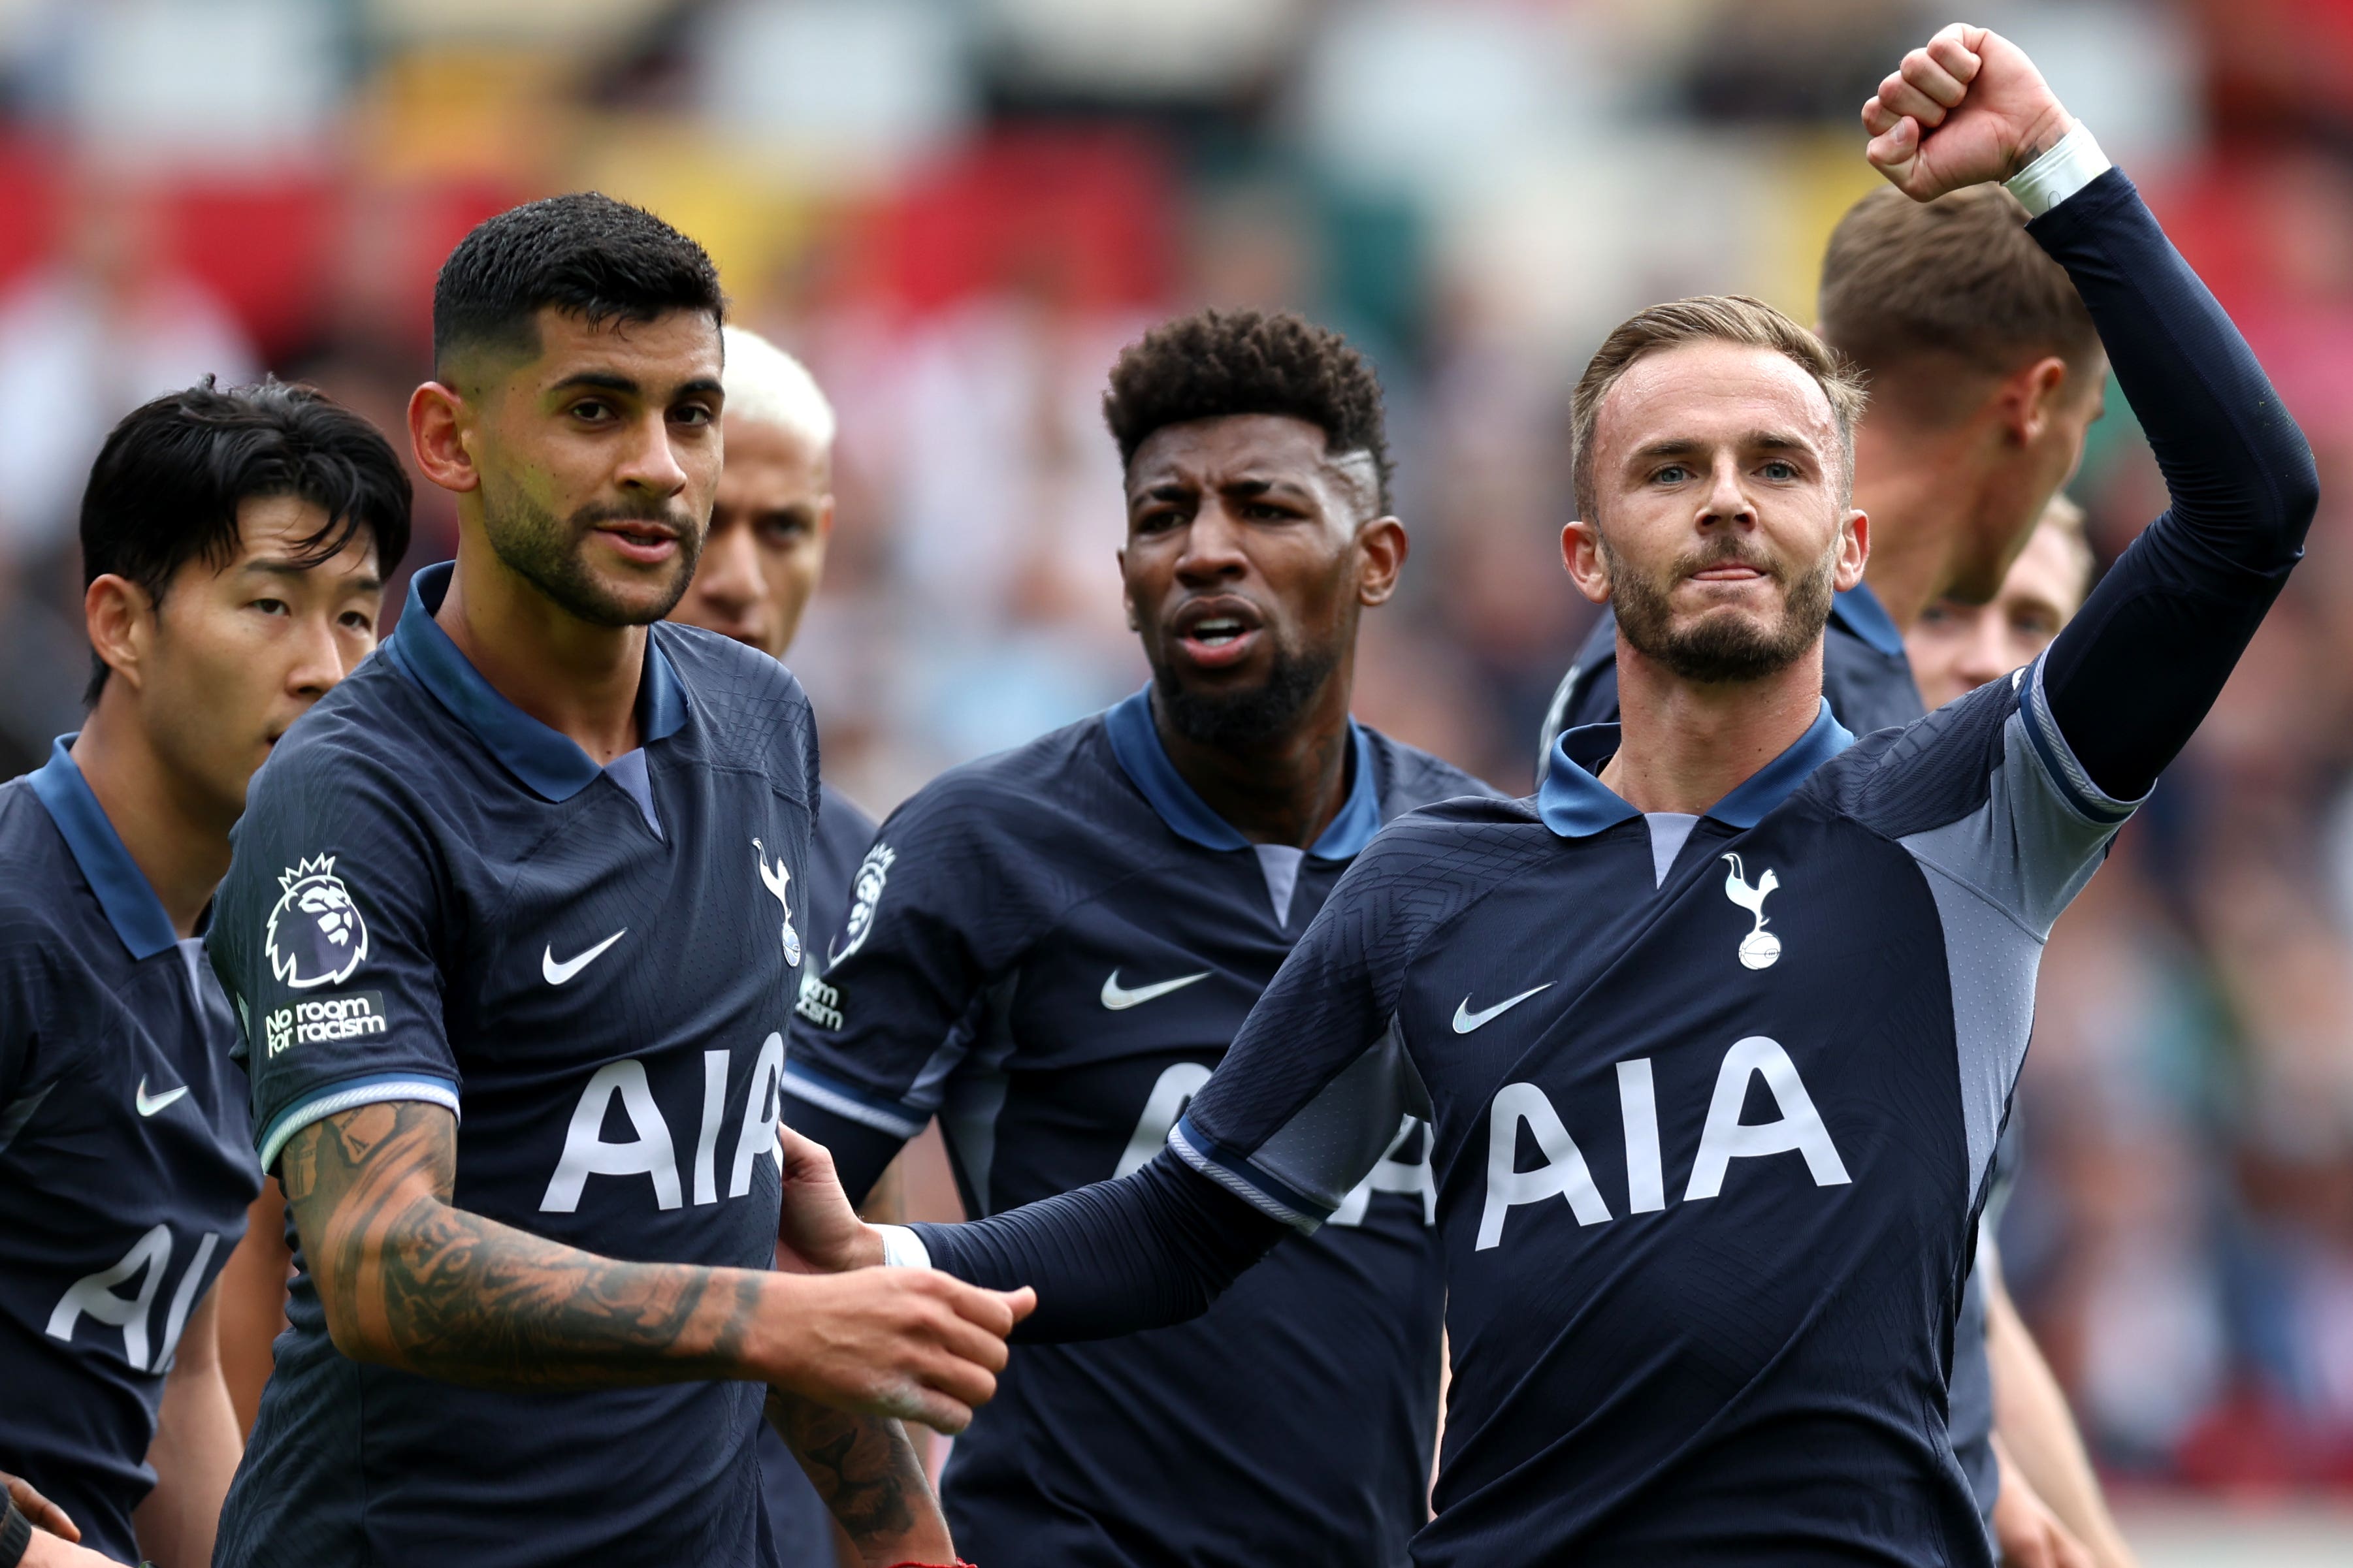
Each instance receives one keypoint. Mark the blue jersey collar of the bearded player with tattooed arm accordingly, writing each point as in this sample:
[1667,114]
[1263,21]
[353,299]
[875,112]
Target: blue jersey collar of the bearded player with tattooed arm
[547,763]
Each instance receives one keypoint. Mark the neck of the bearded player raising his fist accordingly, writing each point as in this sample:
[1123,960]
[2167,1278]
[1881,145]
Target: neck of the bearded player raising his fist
[1686,744]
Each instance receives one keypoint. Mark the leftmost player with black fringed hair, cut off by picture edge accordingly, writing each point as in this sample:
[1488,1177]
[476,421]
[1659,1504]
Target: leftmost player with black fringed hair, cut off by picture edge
[234,547]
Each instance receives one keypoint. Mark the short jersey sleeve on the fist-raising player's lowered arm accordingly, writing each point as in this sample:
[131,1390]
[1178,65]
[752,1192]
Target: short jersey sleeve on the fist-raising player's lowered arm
[1314,1087]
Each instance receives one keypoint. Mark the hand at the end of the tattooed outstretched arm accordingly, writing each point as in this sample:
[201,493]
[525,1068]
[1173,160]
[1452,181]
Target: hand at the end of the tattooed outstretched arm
[907,1343]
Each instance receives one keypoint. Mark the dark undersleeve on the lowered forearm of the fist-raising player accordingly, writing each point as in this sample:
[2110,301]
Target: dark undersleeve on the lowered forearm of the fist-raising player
[1145,1252]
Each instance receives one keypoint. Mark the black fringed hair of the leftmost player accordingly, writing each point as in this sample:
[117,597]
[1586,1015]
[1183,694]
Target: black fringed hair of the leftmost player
[171,478]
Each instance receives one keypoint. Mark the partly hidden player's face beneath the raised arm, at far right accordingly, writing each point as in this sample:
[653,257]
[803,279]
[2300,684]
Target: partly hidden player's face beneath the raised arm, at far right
[1957,648]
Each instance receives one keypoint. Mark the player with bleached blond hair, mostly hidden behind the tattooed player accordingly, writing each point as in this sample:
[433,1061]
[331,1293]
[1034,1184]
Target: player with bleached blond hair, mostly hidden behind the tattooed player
[761,561]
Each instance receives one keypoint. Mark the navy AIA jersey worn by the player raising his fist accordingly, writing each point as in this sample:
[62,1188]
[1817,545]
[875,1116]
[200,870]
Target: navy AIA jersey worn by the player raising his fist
[1691,1226]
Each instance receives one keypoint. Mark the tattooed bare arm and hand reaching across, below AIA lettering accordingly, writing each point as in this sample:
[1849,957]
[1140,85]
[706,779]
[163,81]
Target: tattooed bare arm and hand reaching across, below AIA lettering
[411,1280]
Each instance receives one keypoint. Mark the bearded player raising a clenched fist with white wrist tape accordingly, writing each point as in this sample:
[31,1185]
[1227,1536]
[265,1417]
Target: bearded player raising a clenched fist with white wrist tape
[1719,1031]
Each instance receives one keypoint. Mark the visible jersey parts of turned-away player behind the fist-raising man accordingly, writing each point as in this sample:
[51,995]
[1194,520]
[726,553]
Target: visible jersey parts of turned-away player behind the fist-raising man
[1869,685]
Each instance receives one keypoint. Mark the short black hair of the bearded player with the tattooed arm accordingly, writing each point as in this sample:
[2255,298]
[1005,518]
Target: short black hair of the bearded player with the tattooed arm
[587,255]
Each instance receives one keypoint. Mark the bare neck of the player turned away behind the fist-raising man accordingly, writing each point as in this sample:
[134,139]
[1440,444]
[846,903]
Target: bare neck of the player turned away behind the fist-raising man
[1921,492]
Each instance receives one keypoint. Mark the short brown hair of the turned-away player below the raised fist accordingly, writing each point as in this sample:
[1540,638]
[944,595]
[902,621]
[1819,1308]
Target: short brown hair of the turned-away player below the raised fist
[1957,279]
